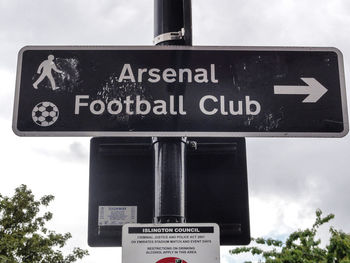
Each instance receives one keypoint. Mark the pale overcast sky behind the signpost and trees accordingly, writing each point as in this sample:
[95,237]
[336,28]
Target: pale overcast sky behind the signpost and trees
[288,178]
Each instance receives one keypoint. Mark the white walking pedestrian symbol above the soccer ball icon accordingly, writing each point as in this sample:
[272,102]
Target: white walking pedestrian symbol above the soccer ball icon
[45,69]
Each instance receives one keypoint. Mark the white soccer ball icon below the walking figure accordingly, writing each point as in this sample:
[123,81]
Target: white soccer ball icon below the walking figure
[45,114]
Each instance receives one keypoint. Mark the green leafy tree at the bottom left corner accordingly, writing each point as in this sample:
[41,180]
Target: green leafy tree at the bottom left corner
[23,235]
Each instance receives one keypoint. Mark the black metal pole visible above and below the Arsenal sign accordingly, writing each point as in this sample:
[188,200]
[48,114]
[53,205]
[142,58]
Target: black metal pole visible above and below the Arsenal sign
[172,26]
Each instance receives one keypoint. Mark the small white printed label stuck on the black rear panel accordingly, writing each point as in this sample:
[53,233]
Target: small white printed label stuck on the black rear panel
[117,215]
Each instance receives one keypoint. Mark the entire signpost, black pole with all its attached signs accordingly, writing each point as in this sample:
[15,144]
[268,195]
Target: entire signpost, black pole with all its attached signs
[182,97]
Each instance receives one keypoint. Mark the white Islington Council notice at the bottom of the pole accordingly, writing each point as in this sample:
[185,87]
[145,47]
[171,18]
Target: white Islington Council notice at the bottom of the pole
[171,243]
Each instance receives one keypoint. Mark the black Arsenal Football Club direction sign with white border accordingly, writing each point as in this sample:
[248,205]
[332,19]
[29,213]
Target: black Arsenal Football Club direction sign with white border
[180,91]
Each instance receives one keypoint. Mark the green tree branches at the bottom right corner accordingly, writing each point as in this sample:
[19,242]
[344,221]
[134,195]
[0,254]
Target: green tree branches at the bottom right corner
[302,246]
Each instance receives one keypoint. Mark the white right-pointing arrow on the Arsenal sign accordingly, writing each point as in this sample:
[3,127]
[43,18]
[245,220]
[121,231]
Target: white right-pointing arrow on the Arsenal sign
[314,89]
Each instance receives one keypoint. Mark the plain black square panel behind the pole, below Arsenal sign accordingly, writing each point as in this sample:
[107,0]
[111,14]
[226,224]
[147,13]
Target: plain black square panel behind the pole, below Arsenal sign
[121,188]
